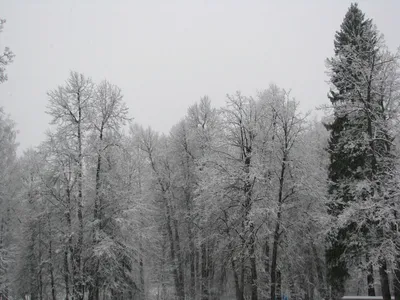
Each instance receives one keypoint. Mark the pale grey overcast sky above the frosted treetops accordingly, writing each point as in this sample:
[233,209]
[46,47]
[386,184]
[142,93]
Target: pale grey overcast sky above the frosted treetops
[165,55]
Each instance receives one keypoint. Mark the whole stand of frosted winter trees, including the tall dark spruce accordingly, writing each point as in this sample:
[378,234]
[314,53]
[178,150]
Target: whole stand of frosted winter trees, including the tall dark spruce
[252,200]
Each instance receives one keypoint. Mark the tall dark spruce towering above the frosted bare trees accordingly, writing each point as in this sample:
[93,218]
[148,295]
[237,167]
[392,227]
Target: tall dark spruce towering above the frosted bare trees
[359,152]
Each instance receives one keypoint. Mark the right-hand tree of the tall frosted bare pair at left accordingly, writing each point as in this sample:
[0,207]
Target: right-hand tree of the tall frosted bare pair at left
[108,113]
